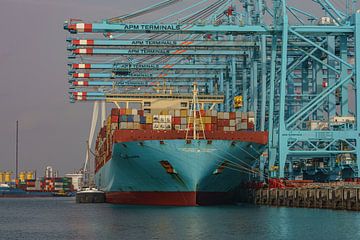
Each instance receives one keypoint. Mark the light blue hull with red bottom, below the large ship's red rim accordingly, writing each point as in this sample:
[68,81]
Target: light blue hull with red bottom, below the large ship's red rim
[173,172]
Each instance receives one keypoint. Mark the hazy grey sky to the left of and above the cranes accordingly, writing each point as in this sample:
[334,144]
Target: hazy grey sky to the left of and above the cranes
[33,78]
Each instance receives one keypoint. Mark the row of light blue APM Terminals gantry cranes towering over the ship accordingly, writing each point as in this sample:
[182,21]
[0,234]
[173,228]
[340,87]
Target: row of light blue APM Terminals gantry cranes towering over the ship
[296,69]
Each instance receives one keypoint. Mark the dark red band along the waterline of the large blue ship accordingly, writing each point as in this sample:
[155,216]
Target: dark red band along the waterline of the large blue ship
[170,198]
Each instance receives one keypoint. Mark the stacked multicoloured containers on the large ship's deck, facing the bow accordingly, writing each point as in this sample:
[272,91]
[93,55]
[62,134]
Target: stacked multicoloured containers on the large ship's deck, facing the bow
[181,119]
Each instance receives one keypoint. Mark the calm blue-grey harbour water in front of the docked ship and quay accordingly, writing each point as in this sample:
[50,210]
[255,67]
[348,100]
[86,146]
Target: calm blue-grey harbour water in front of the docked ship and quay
[61,218]
